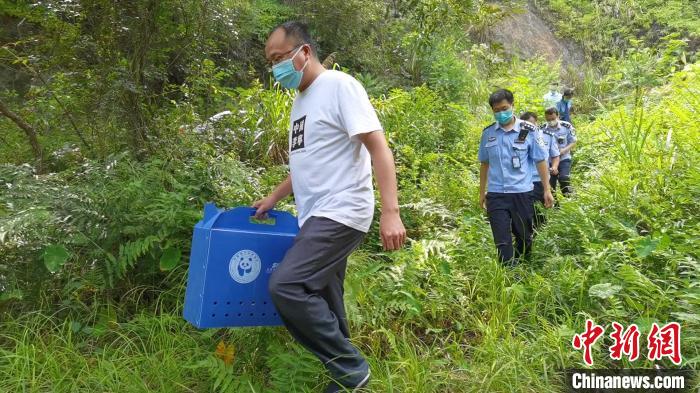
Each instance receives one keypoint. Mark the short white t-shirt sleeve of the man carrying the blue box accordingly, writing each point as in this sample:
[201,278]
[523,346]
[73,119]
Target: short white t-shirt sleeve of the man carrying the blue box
[357,115]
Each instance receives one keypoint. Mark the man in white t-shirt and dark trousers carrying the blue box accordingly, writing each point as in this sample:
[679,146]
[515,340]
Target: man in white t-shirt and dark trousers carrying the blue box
[334,138]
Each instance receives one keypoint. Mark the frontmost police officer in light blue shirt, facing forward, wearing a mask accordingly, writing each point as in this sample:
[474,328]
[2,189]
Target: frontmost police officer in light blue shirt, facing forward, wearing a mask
[508,149]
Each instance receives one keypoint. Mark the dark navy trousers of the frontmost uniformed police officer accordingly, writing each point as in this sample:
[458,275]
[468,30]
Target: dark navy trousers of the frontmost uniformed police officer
[511,214]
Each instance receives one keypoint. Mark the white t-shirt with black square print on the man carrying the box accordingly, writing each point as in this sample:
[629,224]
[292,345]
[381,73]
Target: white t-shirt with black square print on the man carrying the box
[330,168]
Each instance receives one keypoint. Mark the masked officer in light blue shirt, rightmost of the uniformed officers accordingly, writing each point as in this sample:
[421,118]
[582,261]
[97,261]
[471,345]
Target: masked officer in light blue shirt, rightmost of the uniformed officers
[565,135]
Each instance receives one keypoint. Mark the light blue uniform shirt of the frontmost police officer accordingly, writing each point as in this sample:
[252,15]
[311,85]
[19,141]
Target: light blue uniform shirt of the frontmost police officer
[500,148]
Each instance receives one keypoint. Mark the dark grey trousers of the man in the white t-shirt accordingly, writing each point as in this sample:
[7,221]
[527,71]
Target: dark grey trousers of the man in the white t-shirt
[307,289]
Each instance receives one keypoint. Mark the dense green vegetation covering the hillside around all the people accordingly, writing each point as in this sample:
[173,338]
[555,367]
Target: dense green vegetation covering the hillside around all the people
[96,211]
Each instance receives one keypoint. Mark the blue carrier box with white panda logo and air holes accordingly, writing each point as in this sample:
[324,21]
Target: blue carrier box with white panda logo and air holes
[232,258]
